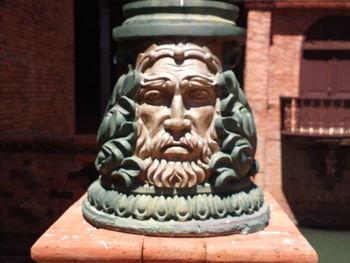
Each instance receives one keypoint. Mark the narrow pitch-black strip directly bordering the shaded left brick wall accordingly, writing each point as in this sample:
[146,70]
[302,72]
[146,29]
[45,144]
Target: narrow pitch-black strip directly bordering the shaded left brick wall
[86,65]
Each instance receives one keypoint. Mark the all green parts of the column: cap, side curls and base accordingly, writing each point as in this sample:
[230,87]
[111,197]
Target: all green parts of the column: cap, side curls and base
[228,201]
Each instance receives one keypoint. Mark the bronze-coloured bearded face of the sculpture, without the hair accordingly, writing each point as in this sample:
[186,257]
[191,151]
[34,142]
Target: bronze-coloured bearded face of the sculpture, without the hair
[178,103]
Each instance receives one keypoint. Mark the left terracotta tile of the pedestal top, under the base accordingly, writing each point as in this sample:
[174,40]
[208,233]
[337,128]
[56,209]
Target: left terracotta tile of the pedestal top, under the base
[72,239]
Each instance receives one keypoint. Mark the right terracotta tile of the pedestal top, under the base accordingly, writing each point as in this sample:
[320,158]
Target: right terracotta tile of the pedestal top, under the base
[280,241]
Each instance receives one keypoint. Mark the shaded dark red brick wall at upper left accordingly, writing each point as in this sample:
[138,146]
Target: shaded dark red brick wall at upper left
[37,67]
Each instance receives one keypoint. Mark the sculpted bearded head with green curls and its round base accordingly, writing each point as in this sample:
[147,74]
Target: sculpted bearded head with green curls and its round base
[177,147]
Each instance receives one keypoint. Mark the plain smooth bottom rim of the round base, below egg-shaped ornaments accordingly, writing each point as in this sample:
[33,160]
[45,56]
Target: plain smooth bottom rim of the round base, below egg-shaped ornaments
[212,227]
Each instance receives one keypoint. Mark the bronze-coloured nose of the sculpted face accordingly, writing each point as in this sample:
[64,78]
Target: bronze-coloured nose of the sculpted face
[177,125]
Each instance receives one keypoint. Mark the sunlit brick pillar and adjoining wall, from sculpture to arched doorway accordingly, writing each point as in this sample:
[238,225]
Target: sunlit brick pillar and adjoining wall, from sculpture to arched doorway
[265,81]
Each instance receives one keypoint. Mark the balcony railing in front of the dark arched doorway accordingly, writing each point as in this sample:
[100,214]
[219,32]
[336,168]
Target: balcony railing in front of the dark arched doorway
[315,117]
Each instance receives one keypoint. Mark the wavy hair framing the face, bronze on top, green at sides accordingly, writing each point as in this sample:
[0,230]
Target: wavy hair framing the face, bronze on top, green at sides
[235,127]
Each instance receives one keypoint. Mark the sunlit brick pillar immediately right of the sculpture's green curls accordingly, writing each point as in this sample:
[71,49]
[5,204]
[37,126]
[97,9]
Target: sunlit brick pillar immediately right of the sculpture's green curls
[256,78]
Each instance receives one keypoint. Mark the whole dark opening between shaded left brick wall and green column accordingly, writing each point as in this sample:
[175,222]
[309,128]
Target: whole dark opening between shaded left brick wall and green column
[95,64]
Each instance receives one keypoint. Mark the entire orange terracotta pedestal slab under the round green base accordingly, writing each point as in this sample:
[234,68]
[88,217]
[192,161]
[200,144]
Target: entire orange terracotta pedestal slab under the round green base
[72,239]
